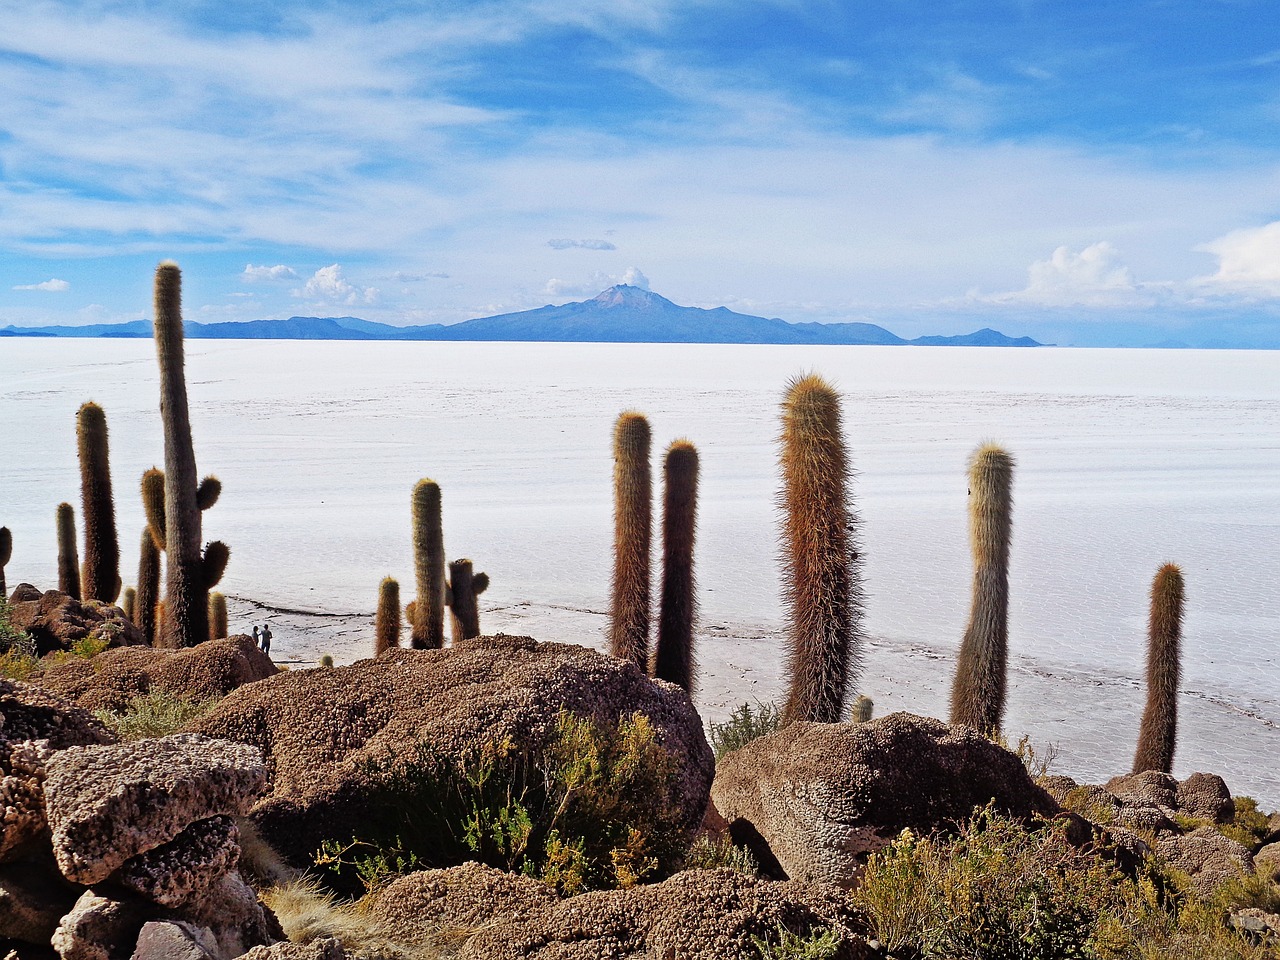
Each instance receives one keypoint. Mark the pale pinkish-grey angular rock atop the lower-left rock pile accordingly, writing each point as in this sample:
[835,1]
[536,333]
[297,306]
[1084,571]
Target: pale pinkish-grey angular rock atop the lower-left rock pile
[108,804]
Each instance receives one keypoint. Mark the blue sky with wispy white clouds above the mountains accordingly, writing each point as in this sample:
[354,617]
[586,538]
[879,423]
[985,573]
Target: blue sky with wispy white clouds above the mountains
[1085,173]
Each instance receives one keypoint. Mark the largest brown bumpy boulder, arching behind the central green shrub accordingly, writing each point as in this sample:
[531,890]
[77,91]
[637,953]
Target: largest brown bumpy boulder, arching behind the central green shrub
[318,730]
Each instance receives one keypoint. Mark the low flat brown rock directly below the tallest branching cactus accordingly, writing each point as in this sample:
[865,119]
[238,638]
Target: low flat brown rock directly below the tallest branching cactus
[205,671]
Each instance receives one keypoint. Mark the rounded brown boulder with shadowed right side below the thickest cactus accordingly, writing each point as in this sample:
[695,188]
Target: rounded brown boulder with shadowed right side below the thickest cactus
[815,799]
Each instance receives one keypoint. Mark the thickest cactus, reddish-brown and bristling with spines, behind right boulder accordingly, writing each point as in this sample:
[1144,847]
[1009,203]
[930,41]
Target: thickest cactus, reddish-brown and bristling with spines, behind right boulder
[824,587]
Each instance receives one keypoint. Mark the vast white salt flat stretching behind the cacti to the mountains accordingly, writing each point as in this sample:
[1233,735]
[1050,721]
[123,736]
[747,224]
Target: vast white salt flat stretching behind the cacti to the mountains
[1126,460]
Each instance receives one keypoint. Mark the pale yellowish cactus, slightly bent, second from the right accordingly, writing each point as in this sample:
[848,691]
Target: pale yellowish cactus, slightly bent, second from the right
[979,689]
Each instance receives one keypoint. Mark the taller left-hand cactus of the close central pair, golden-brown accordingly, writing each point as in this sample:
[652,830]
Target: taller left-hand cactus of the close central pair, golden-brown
[633,523]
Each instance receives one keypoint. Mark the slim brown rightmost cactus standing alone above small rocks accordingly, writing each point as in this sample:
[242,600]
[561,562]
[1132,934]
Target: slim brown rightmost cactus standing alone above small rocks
[1159,735]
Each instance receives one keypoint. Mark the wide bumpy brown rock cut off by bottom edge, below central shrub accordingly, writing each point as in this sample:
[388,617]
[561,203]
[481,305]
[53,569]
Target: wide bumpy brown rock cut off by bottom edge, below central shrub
[694,916]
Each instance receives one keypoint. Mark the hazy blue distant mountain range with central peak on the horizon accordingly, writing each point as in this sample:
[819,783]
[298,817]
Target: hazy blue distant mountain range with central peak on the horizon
[621,314]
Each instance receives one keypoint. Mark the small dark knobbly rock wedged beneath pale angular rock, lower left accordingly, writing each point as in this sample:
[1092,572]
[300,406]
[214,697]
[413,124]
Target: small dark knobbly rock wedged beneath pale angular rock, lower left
[182,870]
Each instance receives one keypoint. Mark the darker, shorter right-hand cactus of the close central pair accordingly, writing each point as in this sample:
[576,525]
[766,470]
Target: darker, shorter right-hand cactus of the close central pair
[675,661]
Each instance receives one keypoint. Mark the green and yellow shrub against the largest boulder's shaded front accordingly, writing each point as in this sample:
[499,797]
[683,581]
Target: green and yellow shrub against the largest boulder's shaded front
[588,811]
